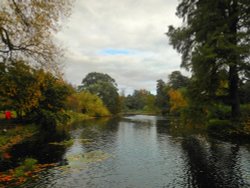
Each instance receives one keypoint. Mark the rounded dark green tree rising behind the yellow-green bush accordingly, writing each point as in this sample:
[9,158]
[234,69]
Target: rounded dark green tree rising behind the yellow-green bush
[104,87]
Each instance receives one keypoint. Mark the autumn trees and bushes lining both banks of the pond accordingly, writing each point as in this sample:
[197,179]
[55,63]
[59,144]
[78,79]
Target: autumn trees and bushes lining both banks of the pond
[215,97]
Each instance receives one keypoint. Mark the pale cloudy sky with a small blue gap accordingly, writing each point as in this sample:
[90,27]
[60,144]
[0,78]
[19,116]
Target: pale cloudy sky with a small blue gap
[123,38]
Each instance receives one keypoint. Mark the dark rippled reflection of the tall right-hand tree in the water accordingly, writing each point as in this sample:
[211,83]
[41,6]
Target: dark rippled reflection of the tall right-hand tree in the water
[211,164]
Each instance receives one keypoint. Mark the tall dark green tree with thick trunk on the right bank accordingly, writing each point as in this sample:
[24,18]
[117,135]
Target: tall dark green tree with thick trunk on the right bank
[214,38]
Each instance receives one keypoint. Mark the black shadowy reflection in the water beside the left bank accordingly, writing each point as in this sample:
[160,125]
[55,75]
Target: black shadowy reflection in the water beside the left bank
[37,147]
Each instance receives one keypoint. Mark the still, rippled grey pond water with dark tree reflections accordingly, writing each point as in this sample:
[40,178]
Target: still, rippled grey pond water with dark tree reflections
[138,152]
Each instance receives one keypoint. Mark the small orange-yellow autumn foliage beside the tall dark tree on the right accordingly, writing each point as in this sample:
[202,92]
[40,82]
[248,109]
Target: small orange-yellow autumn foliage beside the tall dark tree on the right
[177,100]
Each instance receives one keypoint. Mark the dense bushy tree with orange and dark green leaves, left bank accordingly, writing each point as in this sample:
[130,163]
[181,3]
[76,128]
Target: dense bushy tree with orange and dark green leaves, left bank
[33,94]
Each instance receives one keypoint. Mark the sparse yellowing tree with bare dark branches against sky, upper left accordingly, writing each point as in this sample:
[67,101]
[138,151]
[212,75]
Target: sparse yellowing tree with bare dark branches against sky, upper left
[26,30]
